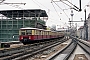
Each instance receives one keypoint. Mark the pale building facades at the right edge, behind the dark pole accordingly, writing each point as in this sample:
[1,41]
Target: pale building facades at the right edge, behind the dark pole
[82,30]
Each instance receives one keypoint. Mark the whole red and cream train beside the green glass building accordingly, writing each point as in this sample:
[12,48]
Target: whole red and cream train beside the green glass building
[30,35]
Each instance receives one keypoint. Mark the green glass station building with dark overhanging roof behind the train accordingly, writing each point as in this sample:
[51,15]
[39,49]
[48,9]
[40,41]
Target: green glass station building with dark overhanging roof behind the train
[12,20]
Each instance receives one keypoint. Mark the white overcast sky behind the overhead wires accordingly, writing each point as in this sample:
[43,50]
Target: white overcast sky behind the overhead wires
[58,12]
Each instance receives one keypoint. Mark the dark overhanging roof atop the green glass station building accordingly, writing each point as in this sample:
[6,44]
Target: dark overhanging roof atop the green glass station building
[24,13]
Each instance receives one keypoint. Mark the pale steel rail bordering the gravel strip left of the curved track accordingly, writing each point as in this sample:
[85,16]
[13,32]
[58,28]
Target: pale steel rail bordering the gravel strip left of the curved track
[37,51]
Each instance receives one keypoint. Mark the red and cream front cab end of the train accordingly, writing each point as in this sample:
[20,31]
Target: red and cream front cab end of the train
[27,35]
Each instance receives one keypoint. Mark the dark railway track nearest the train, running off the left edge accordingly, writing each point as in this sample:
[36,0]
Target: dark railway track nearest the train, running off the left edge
[10,51]
